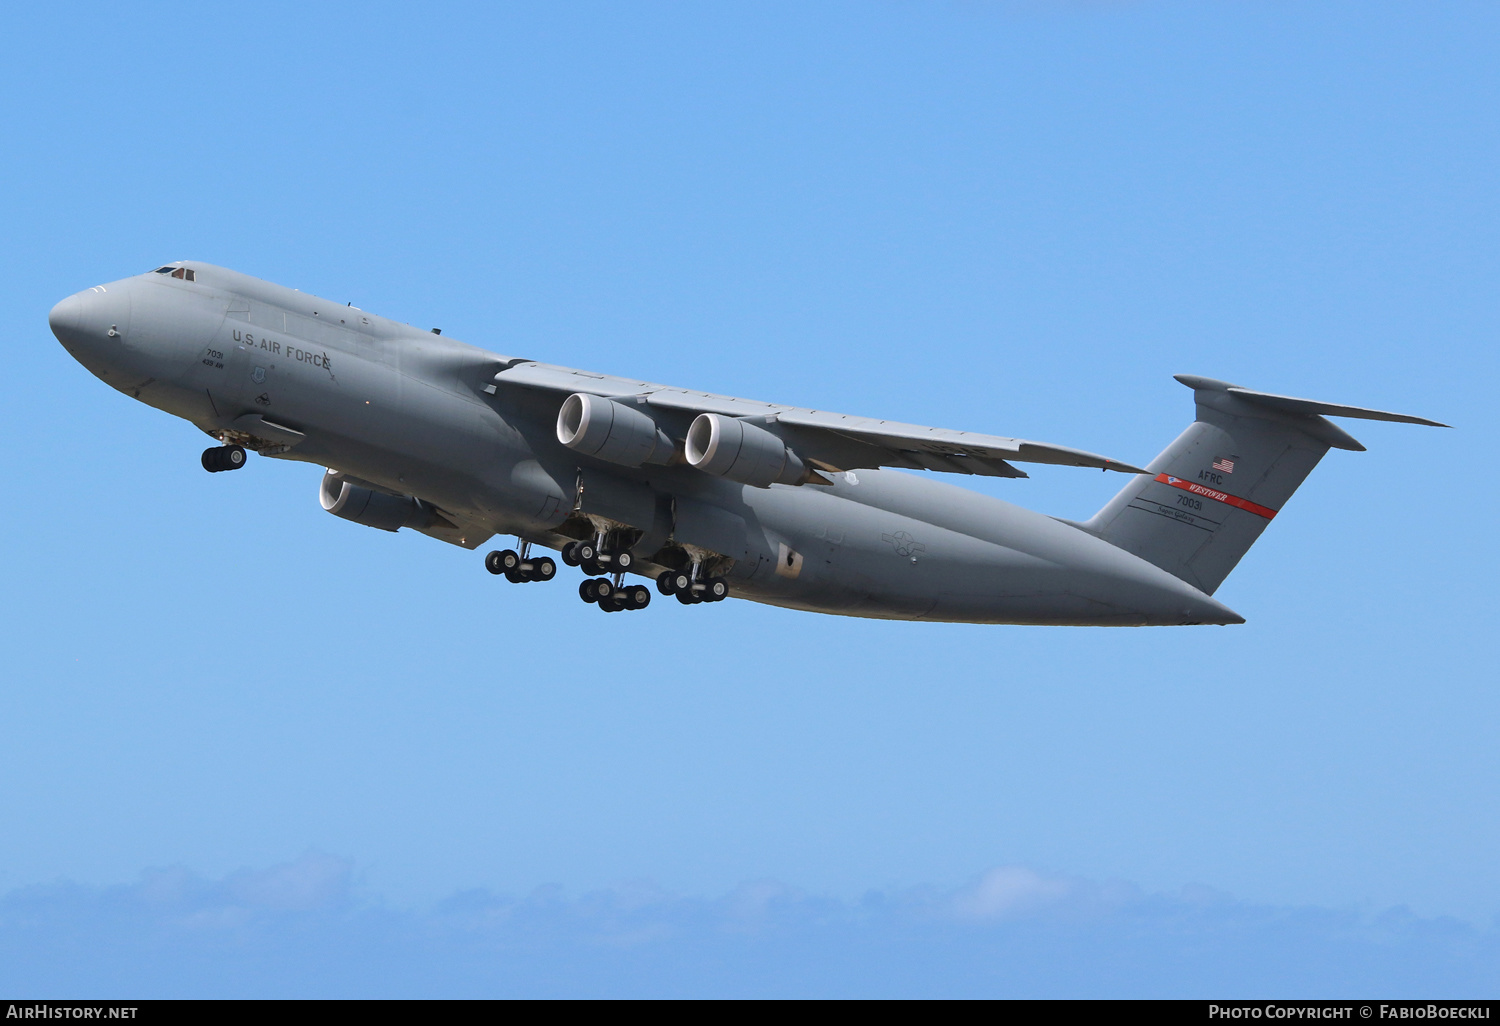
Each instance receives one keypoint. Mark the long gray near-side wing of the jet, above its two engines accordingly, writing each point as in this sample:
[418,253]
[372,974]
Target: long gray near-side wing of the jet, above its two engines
[827,440]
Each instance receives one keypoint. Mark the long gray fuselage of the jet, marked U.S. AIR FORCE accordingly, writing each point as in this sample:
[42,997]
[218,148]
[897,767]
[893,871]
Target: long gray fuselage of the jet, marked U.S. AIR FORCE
[418,415]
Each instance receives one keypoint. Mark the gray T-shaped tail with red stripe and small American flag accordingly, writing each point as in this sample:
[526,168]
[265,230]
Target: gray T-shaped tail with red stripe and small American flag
[1210,494]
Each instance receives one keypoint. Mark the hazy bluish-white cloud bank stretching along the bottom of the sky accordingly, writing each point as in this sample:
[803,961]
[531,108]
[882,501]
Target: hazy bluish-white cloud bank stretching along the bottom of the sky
[302,929]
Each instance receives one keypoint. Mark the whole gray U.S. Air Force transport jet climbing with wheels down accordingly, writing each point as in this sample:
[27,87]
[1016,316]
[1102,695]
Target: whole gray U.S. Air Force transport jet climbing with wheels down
[709,496]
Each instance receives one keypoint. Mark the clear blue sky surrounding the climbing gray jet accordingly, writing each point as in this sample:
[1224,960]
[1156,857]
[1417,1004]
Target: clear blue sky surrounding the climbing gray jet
[1016,218]
